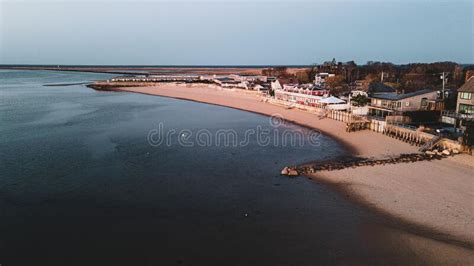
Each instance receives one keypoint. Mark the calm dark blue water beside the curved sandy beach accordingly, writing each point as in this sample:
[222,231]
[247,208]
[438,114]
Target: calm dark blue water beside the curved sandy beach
[81,184]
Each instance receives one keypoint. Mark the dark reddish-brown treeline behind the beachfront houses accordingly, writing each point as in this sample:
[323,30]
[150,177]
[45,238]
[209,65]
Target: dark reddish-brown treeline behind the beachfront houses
[407,77]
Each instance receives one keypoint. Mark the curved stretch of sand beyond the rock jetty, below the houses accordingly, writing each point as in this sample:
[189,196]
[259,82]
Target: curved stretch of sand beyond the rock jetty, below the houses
[248,102]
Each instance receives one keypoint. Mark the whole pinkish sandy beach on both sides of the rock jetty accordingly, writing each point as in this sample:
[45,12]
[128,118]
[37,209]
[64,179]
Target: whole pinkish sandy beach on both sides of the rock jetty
[433,198]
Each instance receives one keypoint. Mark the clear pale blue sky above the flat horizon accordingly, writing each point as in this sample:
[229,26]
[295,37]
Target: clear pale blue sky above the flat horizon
[258,32]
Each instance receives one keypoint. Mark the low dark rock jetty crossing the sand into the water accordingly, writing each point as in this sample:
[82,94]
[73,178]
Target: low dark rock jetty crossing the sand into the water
[354,162]
